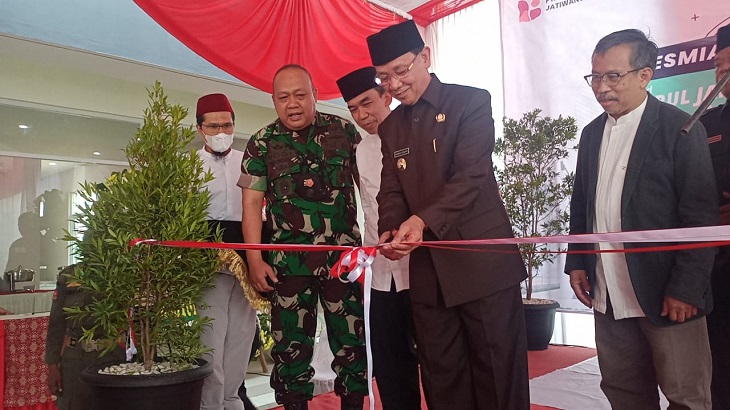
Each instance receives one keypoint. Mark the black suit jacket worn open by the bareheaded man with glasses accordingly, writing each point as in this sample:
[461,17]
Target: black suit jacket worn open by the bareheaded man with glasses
[669,184]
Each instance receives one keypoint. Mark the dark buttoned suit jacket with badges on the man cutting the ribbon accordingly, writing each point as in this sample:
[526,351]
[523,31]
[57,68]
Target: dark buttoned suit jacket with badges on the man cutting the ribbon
[444,145]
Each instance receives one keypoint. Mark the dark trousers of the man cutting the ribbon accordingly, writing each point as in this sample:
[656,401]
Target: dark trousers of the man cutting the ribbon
[474,356]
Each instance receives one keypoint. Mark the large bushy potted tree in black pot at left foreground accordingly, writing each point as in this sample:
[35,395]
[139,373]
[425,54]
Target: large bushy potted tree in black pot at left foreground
[145,295]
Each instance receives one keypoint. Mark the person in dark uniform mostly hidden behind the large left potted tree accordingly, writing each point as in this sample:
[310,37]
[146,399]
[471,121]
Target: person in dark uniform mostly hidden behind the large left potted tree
[66,354]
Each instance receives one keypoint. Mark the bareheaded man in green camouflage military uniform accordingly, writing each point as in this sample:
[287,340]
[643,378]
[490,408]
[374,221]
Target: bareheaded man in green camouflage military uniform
[304,165]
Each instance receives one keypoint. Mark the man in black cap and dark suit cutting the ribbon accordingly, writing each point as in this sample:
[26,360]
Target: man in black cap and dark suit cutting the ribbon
[438,183]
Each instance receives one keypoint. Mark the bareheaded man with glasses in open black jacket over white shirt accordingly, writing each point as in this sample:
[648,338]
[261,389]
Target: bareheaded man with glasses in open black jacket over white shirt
[636,171]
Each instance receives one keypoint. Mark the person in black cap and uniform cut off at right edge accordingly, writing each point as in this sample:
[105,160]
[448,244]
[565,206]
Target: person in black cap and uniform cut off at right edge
[717,124]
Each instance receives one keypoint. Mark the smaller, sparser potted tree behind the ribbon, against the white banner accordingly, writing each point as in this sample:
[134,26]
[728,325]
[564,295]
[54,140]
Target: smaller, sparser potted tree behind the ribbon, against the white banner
[536,194]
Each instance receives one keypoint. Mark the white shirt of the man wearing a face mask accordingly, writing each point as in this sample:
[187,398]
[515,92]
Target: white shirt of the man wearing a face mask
[225,194]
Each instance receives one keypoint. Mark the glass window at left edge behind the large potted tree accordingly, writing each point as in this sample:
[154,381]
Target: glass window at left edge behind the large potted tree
[37,199]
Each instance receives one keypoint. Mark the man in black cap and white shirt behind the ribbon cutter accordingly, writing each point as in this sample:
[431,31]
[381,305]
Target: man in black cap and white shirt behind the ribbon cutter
[395,364]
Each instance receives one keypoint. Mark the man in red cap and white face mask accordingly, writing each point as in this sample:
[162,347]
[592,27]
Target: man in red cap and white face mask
[234,320]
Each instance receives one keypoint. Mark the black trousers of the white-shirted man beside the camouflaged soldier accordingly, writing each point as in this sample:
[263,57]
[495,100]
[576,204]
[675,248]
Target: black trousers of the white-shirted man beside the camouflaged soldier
[395,363]
